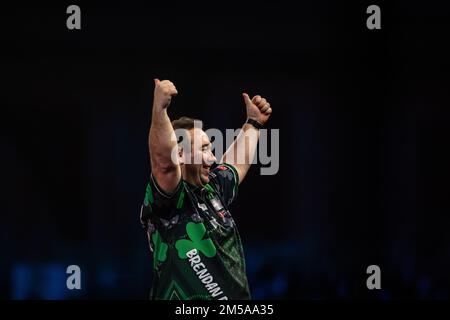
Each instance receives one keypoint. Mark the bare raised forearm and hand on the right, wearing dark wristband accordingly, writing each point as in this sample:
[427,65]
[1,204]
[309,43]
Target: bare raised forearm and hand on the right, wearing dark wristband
[242,151]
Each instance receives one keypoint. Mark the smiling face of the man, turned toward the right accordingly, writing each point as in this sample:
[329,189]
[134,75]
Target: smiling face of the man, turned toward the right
[201,158]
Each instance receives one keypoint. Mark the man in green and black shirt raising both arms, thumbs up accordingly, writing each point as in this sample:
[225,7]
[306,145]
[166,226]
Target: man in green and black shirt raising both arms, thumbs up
[197,250]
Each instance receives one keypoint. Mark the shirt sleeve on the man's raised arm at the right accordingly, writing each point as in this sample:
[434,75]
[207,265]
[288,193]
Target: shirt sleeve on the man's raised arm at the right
[226,178]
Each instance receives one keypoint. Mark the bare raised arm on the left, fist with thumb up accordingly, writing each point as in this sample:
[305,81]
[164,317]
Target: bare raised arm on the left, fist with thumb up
[162,140]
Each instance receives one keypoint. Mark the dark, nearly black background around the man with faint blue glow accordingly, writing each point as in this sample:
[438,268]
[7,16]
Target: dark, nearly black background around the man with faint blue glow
[363,118]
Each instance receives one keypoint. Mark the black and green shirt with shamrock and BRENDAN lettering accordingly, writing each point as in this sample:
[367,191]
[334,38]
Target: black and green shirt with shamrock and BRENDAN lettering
[197,250]
